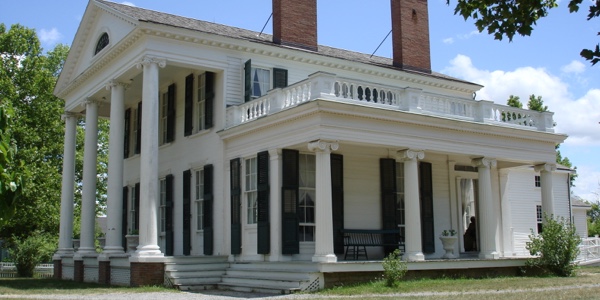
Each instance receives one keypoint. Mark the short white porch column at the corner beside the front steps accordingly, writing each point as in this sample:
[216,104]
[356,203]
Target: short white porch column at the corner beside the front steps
[323,206]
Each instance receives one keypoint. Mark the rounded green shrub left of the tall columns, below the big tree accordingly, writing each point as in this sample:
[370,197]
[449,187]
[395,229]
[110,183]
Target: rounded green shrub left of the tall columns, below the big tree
[28,252]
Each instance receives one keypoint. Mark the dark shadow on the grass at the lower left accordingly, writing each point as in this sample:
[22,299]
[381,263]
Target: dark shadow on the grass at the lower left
[41,284]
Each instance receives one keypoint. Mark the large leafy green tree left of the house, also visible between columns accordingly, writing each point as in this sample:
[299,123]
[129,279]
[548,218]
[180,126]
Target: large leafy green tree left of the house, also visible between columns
[27,79]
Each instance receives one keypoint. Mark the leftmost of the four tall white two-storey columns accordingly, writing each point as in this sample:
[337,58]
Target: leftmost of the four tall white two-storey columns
[65,242]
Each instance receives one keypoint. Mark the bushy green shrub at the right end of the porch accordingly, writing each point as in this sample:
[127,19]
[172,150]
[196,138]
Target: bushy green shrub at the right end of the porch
[556,247]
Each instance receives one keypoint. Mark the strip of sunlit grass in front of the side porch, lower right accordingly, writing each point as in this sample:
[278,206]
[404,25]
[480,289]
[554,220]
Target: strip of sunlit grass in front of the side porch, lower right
[570,287]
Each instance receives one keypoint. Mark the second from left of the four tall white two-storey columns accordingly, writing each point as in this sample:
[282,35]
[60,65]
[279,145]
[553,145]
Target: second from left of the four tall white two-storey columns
[88,197]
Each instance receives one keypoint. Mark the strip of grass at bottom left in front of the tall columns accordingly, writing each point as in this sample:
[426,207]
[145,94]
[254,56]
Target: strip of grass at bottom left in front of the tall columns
[34,286]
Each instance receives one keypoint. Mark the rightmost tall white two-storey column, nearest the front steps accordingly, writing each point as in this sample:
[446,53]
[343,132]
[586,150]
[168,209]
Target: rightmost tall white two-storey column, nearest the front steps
[149,201]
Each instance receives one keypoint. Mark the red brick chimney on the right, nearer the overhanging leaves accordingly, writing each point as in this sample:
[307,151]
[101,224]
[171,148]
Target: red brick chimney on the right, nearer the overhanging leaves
[410,35]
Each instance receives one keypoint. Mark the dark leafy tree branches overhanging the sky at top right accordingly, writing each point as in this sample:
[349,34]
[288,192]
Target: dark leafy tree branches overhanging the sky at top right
[506,18]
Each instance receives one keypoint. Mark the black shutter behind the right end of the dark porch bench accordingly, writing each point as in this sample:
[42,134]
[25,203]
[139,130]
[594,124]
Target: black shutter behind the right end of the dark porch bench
[387,167]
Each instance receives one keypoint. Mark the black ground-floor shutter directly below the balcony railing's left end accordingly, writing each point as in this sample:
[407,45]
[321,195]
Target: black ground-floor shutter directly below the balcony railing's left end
[236,220]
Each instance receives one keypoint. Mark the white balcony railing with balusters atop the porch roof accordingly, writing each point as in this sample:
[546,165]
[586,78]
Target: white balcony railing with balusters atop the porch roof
[328,86]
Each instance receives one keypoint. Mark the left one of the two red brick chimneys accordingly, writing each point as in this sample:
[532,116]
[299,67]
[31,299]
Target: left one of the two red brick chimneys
[295,23]
